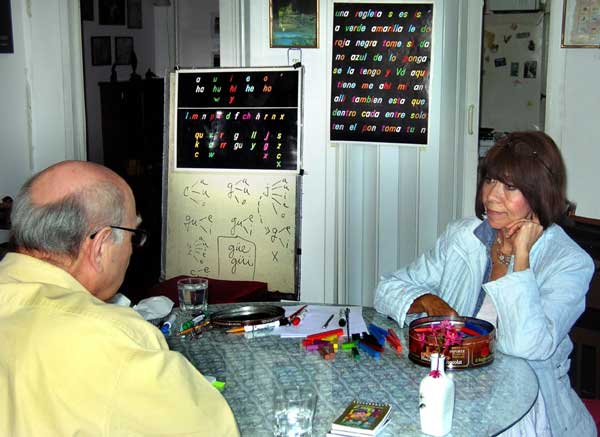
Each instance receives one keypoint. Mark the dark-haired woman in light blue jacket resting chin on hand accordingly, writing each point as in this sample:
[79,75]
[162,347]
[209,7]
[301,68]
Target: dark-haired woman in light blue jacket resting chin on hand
[515,267]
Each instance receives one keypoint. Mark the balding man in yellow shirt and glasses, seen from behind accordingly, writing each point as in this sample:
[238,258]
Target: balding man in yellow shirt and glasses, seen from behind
[70,364]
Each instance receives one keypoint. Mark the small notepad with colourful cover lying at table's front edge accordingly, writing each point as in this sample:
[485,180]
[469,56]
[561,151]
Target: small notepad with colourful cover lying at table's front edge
[362,418]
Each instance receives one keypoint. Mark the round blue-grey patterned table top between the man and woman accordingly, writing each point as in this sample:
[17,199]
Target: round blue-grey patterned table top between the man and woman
[488,399]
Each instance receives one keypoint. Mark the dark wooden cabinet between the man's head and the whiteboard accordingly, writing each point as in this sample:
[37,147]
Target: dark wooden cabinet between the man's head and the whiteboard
[132,139]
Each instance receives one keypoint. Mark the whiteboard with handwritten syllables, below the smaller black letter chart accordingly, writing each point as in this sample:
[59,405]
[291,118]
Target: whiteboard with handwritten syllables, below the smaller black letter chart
[231,225]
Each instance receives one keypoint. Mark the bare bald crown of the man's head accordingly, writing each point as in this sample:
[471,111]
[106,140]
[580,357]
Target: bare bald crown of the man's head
[68,177]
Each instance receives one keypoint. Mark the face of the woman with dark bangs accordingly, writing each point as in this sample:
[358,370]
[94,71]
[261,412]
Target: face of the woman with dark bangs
[503,203]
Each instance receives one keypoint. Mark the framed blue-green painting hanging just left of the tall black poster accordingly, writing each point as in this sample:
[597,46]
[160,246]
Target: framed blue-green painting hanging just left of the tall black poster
[294,24]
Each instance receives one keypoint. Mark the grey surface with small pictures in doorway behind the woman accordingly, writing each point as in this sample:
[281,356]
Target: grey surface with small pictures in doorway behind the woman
[513,72]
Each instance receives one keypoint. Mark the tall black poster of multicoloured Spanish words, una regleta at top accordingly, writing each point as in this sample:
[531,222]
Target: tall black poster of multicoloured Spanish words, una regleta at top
[380,73]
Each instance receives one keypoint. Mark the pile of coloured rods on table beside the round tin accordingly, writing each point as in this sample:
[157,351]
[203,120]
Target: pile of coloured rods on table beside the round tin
[372,343]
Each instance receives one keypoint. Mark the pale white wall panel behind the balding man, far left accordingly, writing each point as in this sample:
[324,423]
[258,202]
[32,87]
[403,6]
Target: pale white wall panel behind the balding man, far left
[41,106]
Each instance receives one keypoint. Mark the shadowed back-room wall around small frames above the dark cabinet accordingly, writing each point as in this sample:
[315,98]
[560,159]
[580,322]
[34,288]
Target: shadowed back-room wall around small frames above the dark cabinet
[143,44]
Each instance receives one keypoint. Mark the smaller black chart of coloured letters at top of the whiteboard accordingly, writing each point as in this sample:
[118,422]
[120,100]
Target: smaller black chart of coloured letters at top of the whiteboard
[239,119]
